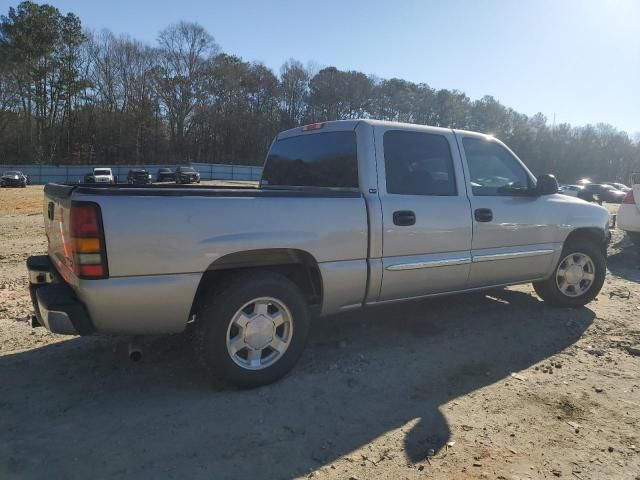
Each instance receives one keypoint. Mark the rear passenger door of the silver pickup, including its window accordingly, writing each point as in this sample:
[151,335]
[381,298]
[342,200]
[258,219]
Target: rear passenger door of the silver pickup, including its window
[425,212]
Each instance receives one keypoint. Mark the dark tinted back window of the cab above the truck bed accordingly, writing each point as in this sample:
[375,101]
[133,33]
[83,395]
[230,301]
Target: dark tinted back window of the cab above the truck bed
[313,160]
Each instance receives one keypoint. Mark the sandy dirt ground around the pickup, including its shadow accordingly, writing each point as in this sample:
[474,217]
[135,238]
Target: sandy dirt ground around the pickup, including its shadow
[494,385]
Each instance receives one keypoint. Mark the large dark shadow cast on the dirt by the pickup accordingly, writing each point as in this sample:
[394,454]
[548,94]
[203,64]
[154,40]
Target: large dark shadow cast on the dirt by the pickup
[78,409]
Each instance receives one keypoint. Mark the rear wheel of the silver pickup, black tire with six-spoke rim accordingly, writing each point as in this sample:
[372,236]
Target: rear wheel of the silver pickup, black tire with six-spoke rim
[238,300]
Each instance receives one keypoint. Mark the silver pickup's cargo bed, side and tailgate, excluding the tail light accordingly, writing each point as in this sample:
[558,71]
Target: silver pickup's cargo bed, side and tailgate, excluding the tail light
[160,239]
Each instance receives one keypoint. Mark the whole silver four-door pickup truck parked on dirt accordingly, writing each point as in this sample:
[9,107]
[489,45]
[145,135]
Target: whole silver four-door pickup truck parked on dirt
[348,214]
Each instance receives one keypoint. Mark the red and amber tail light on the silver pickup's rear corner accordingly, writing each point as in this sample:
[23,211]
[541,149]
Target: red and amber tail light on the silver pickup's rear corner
[87,241]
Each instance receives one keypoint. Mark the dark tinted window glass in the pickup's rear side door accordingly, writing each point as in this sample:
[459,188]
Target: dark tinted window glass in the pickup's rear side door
[418,163]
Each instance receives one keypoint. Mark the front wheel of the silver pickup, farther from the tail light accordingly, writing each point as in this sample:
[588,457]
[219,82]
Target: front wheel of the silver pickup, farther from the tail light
[549,290]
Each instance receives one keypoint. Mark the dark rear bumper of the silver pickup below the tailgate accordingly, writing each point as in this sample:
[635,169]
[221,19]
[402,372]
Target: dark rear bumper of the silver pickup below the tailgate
[54,301]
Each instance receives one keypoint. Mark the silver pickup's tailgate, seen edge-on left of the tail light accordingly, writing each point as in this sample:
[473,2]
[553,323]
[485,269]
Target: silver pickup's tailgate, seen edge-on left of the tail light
[57,209]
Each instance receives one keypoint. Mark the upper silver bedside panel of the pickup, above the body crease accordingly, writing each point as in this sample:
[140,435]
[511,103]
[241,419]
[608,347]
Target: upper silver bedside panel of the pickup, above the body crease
[169,235]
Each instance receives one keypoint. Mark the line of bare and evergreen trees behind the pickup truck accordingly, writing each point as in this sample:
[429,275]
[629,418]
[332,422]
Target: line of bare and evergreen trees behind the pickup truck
[68,95]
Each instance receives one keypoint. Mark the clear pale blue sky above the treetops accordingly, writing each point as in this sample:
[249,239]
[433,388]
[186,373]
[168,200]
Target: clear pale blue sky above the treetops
[575,60]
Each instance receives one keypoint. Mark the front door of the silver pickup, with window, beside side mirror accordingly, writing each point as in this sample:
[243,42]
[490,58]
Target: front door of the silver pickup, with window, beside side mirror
[514,232]
